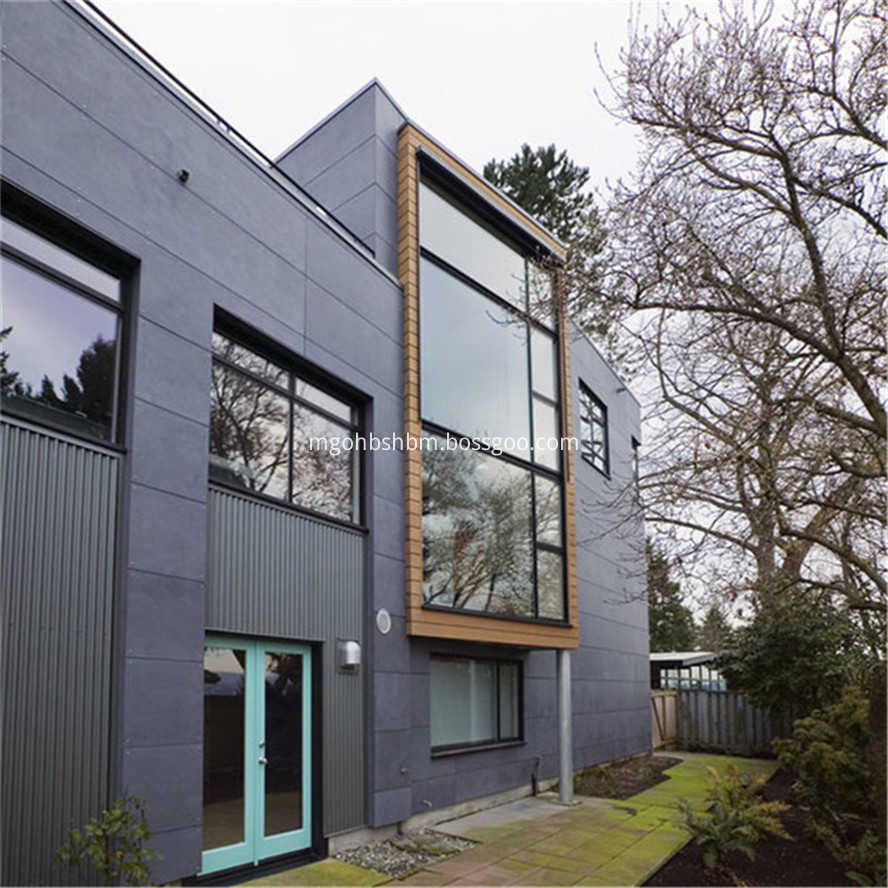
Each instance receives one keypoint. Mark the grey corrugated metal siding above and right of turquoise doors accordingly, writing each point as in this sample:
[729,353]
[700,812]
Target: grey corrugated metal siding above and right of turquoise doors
[276,573]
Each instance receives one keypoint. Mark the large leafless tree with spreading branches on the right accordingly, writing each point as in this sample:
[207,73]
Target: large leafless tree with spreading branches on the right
[750,248]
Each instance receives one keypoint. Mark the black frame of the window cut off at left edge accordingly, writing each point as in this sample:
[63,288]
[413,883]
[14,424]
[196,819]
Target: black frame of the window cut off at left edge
[66,236]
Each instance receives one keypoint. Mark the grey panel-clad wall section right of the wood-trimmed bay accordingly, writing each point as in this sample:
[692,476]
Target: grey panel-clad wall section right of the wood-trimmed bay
[611,683]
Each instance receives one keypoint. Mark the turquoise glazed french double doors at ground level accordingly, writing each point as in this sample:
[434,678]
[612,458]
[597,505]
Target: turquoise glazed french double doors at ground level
[257,751]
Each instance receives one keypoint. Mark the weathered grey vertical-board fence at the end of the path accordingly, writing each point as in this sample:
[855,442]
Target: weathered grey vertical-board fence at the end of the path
[727,722]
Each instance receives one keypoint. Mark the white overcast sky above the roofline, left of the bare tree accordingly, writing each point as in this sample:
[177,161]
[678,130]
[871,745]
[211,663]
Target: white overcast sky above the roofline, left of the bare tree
[483,78]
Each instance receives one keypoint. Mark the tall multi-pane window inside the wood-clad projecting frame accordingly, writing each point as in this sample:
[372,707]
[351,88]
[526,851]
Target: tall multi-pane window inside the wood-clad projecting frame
[490,405]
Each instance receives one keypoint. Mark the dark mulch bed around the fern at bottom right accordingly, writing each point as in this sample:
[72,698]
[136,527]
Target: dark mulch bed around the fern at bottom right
[777,861]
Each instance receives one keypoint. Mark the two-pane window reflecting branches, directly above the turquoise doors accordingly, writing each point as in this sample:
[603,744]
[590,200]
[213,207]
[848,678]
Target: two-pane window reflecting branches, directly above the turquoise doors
[273,433]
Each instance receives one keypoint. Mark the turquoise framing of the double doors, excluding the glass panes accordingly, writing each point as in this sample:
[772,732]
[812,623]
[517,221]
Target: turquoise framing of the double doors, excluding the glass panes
[255,846]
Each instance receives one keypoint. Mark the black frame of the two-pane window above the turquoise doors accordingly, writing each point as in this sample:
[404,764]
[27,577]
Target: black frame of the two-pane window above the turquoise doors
[297,370]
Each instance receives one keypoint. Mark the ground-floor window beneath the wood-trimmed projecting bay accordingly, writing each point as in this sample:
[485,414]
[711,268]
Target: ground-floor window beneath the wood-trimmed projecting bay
[474,702]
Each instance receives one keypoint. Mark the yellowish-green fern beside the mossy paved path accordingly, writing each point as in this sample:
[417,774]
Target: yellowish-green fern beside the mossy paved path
[736,819]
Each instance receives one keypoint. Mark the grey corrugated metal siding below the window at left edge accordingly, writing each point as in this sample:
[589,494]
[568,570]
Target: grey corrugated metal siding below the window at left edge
[57,571]
